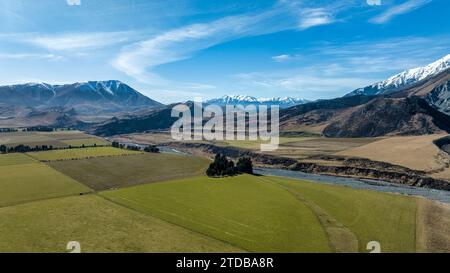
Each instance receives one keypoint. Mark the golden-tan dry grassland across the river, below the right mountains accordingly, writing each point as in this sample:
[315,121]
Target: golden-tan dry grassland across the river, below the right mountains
[414,152]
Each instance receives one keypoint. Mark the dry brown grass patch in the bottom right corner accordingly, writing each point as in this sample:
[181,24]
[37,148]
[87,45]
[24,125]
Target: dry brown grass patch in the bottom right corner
[433,222]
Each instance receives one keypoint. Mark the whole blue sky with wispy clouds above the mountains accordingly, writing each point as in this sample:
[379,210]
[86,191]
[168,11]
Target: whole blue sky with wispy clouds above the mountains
[174,50]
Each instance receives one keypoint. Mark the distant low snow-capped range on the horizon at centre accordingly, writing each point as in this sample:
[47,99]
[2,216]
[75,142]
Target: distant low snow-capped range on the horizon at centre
[283,102]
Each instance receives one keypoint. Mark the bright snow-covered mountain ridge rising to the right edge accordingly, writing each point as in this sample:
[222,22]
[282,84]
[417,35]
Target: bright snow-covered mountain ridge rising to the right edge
[405,79]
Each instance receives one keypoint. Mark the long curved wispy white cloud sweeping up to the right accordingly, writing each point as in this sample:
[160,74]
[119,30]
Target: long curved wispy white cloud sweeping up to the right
[178,44]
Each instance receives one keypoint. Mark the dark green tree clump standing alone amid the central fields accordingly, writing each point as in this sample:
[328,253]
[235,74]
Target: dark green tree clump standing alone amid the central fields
[222,166]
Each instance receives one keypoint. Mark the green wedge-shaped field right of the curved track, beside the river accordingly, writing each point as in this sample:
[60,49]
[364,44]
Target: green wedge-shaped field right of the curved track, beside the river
[389,219]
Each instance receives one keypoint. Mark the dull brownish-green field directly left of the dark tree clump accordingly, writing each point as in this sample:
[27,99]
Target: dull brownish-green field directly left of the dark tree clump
[120,171]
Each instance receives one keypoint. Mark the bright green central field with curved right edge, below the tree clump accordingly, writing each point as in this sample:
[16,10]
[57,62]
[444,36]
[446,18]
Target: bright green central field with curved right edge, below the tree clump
[259,217]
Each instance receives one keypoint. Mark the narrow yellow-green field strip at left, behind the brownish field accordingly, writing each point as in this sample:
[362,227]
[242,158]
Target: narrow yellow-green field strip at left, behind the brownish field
[80,153]
